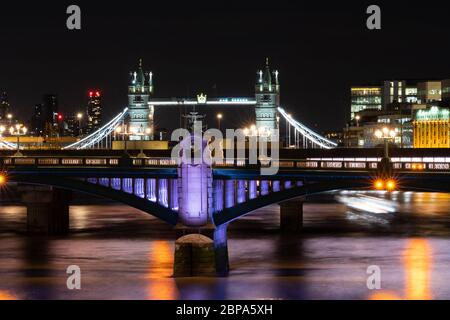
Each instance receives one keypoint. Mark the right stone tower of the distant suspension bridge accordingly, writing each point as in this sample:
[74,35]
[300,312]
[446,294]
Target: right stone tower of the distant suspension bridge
[267,93]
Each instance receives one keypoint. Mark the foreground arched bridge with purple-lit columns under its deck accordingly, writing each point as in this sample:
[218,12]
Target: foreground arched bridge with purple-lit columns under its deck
[194,196]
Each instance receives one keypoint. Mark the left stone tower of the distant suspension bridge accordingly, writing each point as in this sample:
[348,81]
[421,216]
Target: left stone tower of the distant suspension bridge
[140,121]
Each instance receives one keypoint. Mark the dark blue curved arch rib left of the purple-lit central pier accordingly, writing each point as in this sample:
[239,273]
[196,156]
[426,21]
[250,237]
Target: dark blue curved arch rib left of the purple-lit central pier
[132,200]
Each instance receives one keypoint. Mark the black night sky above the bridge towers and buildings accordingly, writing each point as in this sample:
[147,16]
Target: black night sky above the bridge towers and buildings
[320,49]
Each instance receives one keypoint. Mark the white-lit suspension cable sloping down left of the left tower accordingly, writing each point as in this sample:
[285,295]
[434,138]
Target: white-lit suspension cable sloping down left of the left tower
[100,138]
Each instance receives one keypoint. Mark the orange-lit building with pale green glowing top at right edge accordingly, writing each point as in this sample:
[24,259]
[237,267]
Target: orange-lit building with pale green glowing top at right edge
[431,128]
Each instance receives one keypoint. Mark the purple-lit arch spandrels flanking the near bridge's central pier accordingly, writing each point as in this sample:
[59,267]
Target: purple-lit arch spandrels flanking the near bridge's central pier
[236,192]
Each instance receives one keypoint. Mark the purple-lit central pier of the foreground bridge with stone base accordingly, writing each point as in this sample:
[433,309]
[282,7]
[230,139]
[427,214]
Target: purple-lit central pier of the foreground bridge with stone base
[201,247]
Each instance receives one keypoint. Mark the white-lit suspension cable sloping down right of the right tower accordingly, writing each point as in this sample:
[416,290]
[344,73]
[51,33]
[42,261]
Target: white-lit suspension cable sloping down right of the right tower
[308,135]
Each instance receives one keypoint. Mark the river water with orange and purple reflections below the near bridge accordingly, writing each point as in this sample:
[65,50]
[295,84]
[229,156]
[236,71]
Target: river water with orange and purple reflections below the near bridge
[126,254]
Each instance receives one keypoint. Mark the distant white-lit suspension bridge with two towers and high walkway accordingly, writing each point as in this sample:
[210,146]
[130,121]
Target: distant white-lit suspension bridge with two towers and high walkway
[139,114]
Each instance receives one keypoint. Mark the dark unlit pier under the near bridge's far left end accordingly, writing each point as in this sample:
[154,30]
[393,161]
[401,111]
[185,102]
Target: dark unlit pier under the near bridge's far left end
[47,209]
